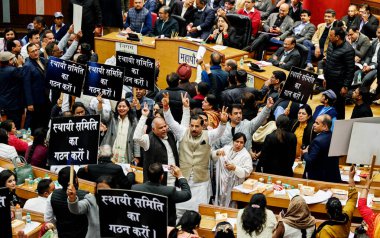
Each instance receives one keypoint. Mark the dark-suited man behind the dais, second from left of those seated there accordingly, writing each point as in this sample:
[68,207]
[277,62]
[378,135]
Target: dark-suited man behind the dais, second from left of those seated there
[165,26]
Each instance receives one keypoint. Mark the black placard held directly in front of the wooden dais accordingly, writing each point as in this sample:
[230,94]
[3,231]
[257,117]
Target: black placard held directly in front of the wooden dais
[139,70]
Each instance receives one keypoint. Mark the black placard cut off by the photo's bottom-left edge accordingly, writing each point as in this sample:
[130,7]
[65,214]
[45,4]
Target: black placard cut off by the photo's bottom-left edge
[5,214]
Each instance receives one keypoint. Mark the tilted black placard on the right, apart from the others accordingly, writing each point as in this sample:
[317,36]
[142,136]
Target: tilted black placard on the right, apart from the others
[299,85]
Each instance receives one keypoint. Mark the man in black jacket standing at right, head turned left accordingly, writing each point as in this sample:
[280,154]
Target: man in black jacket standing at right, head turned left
[339,68]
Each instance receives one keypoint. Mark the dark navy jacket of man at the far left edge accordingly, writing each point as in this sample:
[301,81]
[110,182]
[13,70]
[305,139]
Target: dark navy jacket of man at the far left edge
[11,90]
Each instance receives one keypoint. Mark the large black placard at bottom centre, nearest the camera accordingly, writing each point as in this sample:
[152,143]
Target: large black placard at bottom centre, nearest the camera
[125,213]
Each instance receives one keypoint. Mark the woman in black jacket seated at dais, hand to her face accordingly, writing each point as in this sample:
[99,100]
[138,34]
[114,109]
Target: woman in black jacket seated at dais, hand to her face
[224,33]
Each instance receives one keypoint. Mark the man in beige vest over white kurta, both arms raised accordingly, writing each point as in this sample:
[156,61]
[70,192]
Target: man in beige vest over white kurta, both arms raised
[194,151]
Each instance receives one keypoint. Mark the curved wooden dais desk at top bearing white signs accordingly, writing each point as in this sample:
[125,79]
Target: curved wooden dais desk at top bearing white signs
[164,50]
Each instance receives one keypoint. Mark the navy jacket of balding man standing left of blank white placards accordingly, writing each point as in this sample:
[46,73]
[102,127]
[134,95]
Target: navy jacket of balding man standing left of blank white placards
[319,165]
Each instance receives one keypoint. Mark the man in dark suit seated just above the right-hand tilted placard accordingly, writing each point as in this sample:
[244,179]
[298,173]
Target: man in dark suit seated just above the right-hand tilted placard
[286,56]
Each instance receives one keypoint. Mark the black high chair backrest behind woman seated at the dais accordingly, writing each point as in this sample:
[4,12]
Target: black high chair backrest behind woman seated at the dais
[243,28]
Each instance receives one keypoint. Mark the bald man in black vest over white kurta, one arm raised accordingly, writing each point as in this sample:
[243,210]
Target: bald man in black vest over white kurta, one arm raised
[159,145]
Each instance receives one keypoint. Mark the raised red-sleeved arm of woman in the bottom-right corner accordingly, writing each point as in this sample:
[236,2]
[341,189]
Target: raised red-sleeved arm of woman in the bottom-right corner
[372,219]
